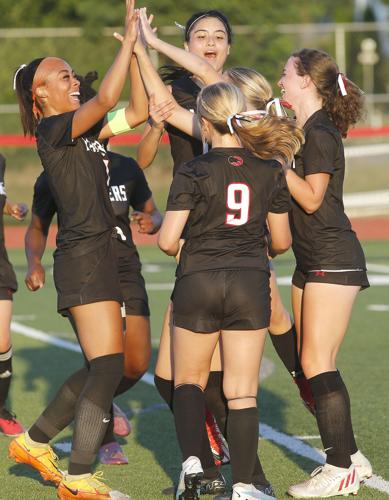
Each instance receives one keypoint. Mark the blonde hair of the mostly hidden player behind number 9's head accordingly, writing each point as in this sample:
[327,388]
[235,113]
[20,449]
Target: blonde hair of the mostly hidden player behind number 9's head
[253,85]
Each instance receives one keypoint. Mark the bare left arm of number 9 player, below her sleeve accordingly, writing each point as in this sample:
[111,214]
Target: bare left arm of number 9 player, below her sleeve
[171,230]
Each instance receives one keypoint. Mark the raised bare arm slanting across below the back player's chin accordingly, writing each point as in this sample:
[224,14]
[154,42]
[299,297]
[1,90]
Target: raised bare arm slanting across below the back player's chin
[193,63]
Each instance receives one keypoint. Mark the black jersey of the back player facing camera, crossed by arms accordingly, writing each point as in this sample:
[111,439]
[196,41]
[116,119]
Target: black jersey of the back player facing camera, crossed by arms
[182,146]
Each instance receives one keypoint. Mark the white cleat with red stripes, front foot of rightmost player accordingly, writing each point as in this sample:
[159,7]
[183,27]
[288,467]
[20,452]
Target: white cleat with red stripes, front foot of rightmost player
[327,481]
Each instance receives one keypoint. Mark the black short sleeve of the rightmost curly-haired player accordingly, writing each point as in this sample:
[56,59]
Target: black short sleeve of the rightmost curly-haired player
[319,152]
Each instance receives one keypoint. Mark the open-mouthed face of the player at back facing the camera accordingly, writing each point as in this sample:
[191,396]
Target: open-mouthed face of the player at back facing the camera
[208,39]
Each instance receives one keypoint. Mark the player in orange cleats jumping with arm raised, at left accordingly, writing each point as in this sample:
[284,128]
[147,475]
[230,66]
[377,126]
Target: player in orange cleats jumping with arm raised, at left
[69,144]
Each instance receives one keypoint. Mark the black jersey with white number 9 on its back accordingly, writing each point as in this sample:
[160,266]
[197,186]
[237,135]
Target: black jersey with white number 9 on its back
[229,192]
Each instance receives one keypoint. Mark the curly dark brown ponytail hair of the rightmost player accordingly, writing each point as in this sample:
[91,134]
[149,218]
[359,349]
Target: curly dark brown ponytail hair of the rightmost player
[344,111]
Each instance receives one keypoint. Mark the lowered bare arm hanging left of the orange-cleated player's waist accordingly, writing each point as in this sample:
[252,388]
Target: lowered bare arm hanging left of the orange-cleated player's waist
[35,244]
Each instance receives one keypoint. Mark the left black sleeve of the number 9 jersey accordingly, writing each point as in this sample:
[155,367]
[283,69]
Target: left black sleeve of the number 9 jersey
[182,194]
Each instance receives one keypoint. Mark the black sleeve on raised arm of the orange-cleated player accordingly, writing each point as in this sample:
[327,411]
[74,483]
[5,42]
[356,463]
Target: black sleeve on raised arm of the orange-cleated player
[57,130]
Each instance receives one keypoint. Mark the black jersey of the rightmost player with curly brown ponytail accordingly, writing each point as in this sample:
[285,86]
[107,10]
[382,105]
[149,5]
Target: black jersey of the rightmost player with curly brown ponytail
[324,239]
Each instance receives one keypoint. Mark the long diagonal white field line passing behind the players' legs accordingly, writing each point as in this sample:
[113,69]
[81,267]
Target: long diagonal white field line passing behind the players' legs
[291,443]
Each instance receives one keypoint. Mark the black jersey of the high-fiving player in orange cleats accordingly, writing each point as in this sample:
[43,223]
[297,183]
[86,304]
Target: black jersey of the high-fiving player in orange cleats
[77,175]
